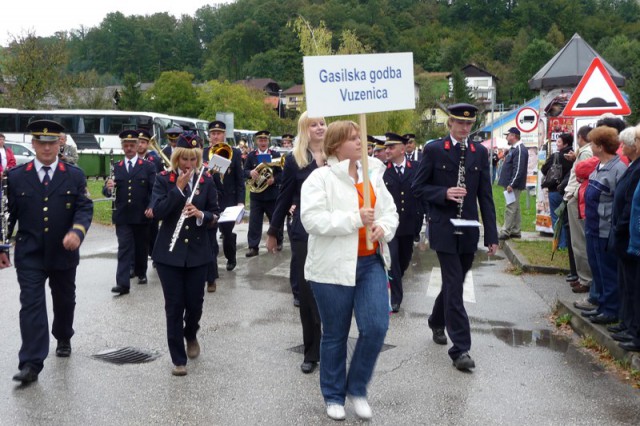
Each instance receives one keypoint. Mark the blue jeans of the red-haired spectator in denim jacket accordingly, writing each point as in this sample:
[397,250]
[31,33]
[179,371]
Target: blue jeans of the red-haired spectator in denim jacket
[604,268]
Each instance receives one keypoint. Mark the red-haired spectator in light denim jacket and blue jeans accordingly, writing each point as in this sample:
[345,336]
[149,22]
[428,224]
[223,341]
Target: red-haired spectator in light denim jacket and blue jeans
[598,205]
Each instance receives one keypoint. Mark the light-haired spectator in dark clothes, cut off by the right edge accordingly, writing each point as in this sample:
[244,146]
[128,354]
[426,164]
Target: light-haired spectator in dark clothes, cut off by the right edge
[619,239]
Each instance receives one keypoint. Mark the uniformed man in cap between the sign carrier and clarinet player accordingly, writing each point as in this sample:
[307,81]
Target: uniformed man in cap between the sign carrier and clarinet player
[398,178]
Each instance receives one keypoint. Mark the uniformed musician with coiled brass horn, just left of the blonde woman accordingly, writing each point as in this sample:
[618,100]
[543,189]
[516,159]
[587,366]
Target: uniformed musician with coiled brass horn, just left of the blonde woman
[264,202]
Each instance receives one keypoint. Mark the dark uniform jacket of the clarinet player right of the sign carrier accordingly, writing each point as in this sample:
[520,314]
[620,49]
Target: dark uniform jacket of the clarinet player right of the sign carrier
[437,172]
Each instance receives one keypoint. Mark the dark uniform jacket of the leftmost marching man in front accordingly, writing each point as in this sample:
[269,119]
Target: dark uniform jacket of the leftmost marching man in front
[44,218]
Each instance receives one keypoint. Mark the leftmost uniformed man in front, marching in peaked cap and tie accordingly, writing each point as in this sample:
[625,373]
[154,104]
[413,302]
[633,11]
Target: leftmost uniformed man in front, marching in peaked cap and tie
[48,199]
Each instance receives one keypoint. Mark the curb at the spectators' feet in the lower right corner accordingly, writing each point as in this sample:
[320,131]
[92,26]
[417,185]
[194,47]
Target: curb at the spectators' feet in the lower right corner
[584,327]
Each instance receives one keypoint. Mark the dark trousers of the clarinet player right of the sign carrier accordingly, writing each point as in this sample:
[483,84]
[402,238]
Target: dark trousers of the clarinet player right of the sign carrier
[448,309]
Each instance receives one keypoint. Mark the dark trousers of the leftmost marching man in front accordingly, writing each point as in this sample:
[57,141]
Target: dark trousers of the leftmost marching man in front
[34,324]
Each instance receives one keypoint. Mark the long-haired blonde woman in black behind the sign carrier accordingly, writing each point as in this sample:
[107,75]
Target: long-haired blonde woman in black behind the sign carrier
[307,156]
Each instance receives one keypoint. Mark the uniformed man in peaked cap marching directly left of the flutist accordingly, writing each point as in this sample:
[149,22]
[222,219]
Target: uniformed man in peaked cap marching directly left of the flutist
[133,185]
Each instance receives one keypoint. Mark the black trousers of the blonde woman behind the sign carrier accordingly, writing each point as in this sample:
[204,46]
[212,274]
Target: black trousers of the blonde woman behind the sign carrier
[309,316]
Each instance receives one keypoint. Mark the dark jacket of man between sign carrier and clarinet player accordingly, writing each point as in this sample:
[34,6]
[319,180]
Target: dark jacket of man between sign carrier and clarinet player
[400,189]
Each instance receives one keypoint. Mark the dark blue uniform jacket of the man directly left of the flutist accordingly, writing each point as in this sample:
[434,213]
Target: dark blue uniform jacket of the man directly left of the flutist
[133,192]
